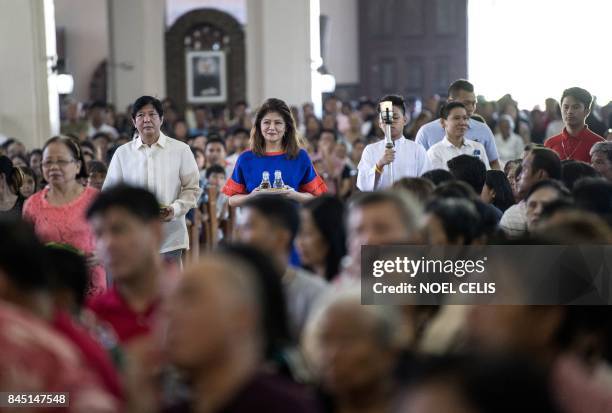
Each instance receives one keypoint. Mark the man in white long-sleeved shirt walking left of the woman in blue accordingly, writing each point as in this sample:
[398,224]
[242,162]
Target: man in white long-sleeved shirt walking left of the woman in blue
[164,166]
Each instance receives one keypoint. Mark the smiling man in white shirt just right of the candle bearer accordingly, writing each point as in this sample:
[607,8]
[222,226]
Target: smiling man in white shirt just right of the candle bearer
[454,120]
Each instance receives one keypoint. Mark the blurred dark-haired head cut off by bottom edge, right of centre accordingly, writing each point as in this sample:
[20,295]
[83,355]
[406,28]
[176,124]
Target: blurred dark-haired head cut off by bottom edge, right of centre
[477,384]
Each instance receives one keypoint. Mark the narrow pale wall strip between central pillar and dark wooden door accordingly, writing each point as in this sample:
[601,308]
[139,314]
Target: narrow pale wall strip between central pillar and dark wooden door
[342,56]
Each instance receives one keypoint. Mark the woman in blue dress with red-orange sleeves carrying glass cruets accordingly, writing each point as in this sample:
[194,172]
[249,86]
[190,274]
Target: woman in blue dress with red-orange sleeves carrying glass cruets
[274,147]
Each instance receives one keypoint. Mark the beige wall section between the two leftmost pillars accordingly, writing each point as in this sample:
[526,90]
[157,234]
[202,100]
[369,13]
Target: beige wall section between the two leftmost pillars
[86,39]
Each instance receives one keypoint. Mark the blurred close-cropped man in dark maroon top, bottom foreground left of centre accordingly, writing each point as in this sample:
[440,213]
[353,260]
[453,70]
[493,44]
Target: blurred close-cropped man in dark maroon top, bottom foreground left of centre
[216,337]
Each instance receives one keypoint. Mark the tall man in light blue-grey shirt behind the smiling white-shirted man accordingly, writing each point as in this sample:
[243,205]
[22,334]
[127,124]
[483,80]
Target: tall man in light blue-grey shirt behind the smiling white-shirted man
[431,133]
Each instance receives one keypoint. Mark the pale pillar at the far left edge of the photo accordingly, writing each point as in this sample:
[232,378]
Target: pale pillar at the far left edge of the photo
[25,71]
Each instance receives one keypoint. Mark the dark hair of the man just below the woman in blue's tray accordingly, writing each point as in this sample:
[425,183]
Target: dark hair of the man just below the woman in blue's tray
[279,212]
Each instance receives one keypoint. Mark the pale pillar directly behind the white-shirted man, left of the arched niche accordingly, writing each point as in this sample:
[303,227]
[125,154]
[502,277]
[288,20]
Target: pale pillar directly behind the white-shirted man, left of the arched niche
[137,65]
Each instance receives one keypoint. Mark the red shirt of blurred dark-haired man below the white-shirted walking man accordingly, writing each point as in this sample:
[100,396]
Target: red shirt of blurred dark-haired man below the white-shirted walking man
[127,323]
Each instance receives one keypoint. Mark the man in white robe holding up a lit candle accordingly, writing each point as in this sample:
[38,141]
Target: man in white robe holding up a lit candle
[407,158]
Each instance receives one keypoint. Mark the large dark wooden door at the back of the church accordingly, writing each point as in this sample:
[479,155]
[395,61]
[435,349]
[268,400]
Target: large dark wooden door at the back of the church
[411,47]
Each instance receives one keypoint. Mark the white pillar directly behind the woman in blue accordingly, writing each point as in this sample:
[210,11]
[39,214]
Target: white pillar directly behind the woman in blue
[278,38]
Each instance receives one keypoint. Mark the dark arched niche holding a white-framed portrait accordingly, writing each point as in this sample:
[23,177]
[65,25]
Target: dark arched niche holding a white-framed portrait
[206,35]
